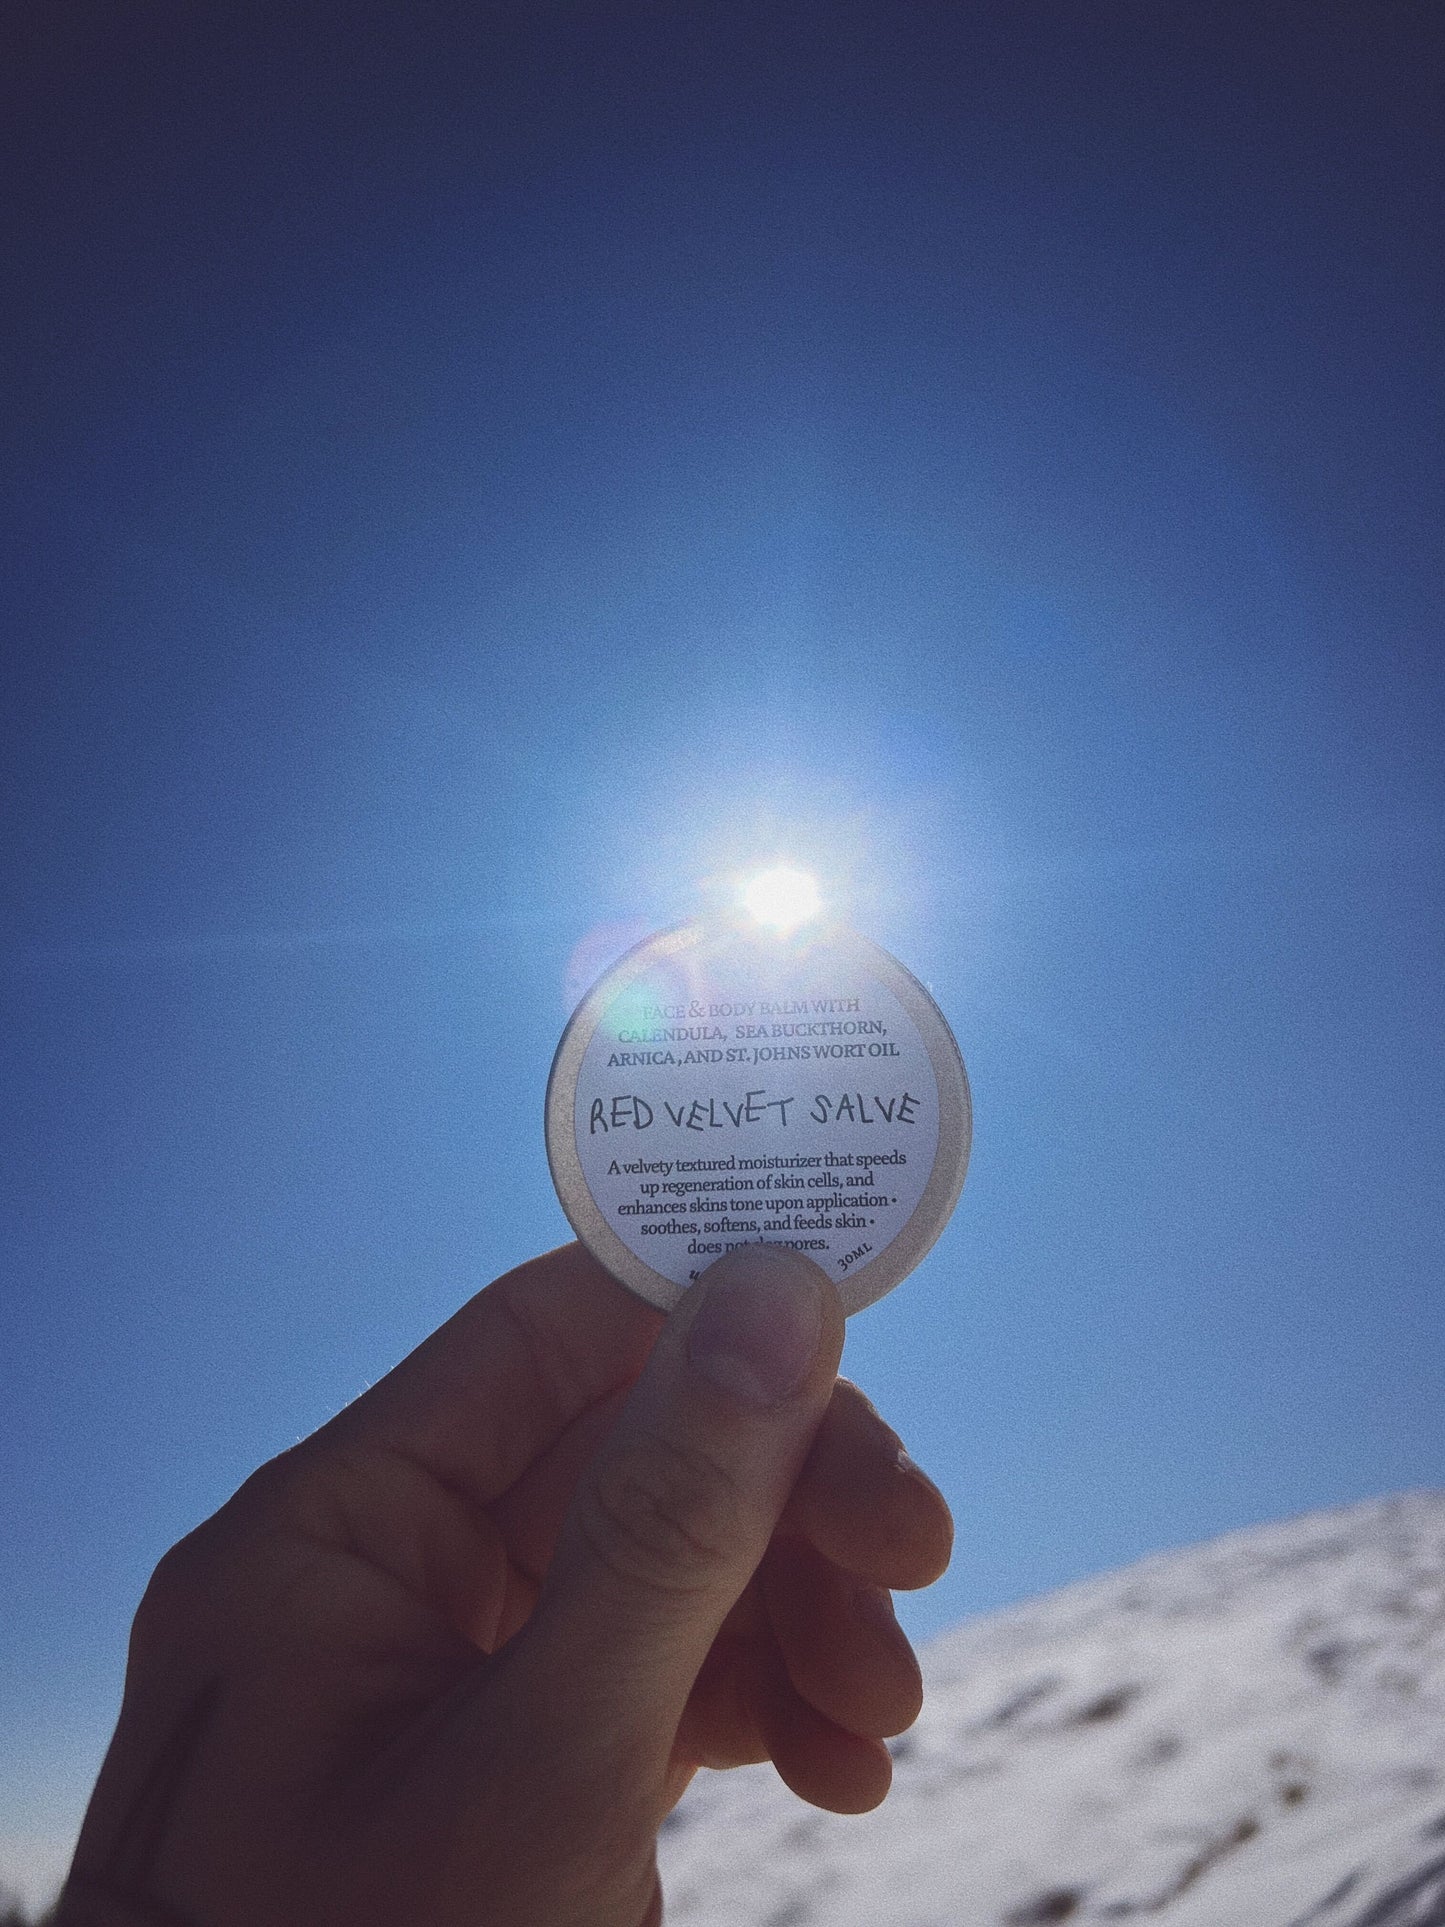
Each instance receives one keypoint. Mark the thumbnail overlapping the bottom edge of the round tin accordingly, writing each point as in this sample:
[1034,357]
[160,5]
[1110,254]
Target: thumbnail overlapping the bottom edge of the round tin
[758,1327]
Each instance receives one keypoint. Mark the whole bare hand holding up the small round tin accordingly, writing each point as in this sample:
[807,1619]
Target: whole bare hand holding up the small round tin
[454,1658]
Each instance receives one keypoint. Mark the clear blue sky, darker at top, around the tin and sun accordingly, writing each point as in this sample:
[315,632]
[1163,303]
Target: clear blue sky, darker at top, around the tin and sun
[473,475]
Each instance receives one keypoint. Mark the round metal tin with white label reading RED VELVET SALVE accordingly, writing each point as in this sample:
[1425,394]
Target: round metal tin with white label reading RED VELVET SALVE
[731,1090]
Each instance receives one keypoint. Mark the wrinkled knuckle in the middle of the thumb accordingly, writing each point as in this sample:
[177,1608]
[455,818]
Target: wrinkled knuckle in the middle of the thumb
[664,1516]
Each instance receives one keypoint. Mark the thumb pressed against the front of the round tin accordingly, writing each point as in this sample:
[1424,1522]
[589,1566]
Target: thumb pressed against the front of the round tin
[675,1514]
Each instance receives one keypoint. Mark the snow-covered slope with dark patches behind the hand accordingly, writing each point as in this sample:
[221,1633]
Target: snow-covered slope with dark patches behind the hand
[1249,1733]
